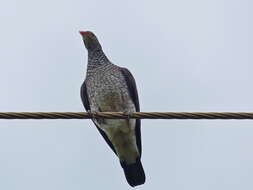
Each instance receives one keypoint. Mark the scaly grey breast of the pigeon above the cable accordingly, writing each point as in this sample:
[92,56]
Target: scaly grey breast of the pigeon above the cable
[107,90]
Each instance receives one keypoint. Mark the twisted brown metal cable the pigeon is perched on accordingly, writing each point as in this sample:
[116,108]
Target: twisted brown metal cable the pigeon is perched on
[123,115]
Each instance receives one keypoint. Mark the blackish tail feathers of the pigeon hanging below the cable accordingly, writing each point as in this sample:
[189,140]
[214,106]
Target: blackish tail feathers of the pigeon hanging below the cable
[134,173]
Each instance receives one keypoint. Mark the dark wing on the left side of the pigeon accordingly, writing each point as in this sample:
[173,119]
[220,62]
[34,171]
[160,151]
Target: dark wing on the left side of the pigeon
[85,100]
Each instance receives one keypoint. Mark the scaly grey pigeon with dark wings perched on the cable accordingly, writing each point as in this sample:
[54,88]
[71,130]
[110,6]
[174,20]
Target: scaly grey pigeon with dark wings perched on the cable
[111,88]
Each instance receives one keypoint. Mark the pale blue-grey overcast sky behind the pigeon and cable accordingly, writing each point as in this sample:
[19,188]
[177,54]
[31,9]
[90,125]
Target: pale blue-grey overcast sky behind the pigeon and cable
[185,55]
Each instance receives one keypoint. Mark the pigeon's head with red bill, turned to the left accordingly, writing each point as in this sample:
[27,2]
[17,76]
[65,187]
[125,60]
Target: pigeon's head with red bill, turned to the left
[90,40]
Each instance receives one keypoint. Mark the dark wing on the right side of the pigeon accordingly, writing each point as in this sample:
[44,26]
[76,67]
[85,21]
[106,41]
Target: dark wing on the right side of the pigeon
[132,89]
